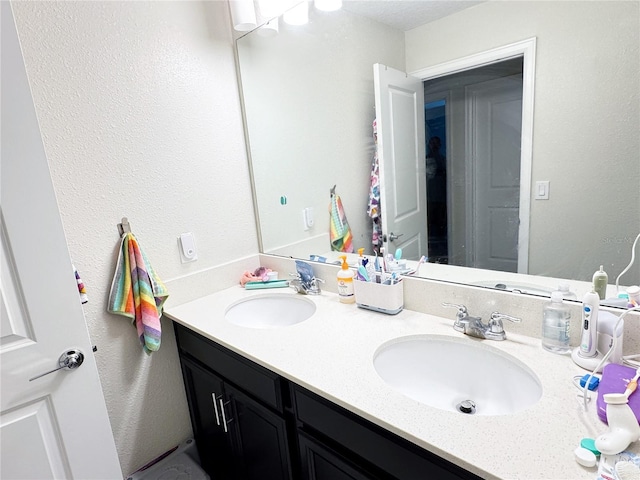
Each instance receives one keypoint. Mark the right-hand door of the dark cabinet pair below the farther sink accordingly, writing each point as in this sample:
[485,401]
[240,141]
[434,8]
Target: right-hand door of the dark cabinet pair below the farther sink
[260,438]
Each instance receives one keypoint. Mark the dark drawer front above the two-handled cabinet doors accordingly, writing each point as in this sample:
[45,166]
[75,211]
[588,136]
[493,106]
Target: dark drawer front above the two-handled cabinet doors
[245,374]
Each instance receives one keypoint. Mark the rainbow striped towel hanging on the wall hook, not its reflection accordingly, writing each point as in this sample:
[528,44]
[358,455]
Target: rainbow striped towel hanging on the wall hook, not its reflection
[138,293]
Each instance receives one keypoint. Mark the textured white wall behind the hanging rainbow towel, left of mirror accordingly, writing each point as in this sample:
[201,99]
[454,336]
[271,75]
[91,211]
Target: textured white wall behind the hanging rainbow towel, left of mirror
[139,110]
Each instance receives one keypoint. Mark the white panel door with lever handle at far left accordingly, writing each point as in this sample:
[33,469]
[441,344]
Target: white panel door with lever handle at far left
[55,426]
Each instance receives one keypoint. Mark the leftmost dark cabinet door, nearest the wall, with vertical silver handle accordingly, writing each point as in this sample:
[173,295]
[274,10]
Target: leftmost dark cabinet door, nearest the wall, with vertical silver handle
[204,393]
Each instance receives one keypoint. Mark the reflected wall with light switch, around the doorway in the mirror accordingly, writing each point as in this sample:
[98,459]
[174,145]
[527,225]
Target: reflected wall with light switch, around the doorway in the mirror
[587,118]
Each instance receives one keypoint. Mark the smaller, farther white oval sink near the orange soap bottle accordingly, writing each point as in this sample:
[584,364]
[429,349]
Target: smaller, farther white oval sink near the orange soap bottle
[270,311]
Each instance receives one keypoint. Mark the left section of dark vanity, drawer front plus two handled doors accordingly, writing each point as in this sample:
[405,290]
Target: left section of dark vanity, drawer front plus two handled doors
[240,434]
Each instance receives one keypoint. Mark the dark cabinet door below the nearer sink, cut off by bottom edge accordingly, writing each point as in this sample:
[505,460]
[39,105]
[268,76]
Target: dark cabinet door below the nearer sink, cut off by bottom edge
[318,462]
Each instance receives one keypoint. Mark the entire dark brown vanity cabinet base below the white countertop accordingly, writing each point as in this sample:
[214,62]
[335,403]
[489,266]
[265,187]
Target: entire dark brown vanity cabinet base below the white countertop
[250,424]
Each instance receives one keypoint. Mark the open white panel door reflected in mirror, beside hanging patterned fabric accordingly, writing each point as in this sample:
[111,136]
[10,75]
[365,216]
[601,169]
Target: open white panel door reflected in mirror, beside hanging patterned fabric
[401,152]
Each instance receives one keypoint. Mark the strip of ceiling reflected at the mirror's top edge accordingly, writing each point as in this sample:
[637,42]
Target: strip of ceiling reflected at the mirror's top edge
[406,14]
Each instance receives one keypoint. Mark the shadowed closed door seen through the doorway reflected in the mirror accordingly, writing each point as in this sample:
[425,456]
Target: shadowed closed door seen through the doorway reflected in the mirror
[495,134]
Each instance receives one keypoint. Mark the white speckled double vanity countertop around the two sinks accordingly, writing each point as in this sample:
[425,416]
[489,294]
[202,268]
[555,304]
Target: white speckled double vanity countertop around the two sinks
[332,353]
